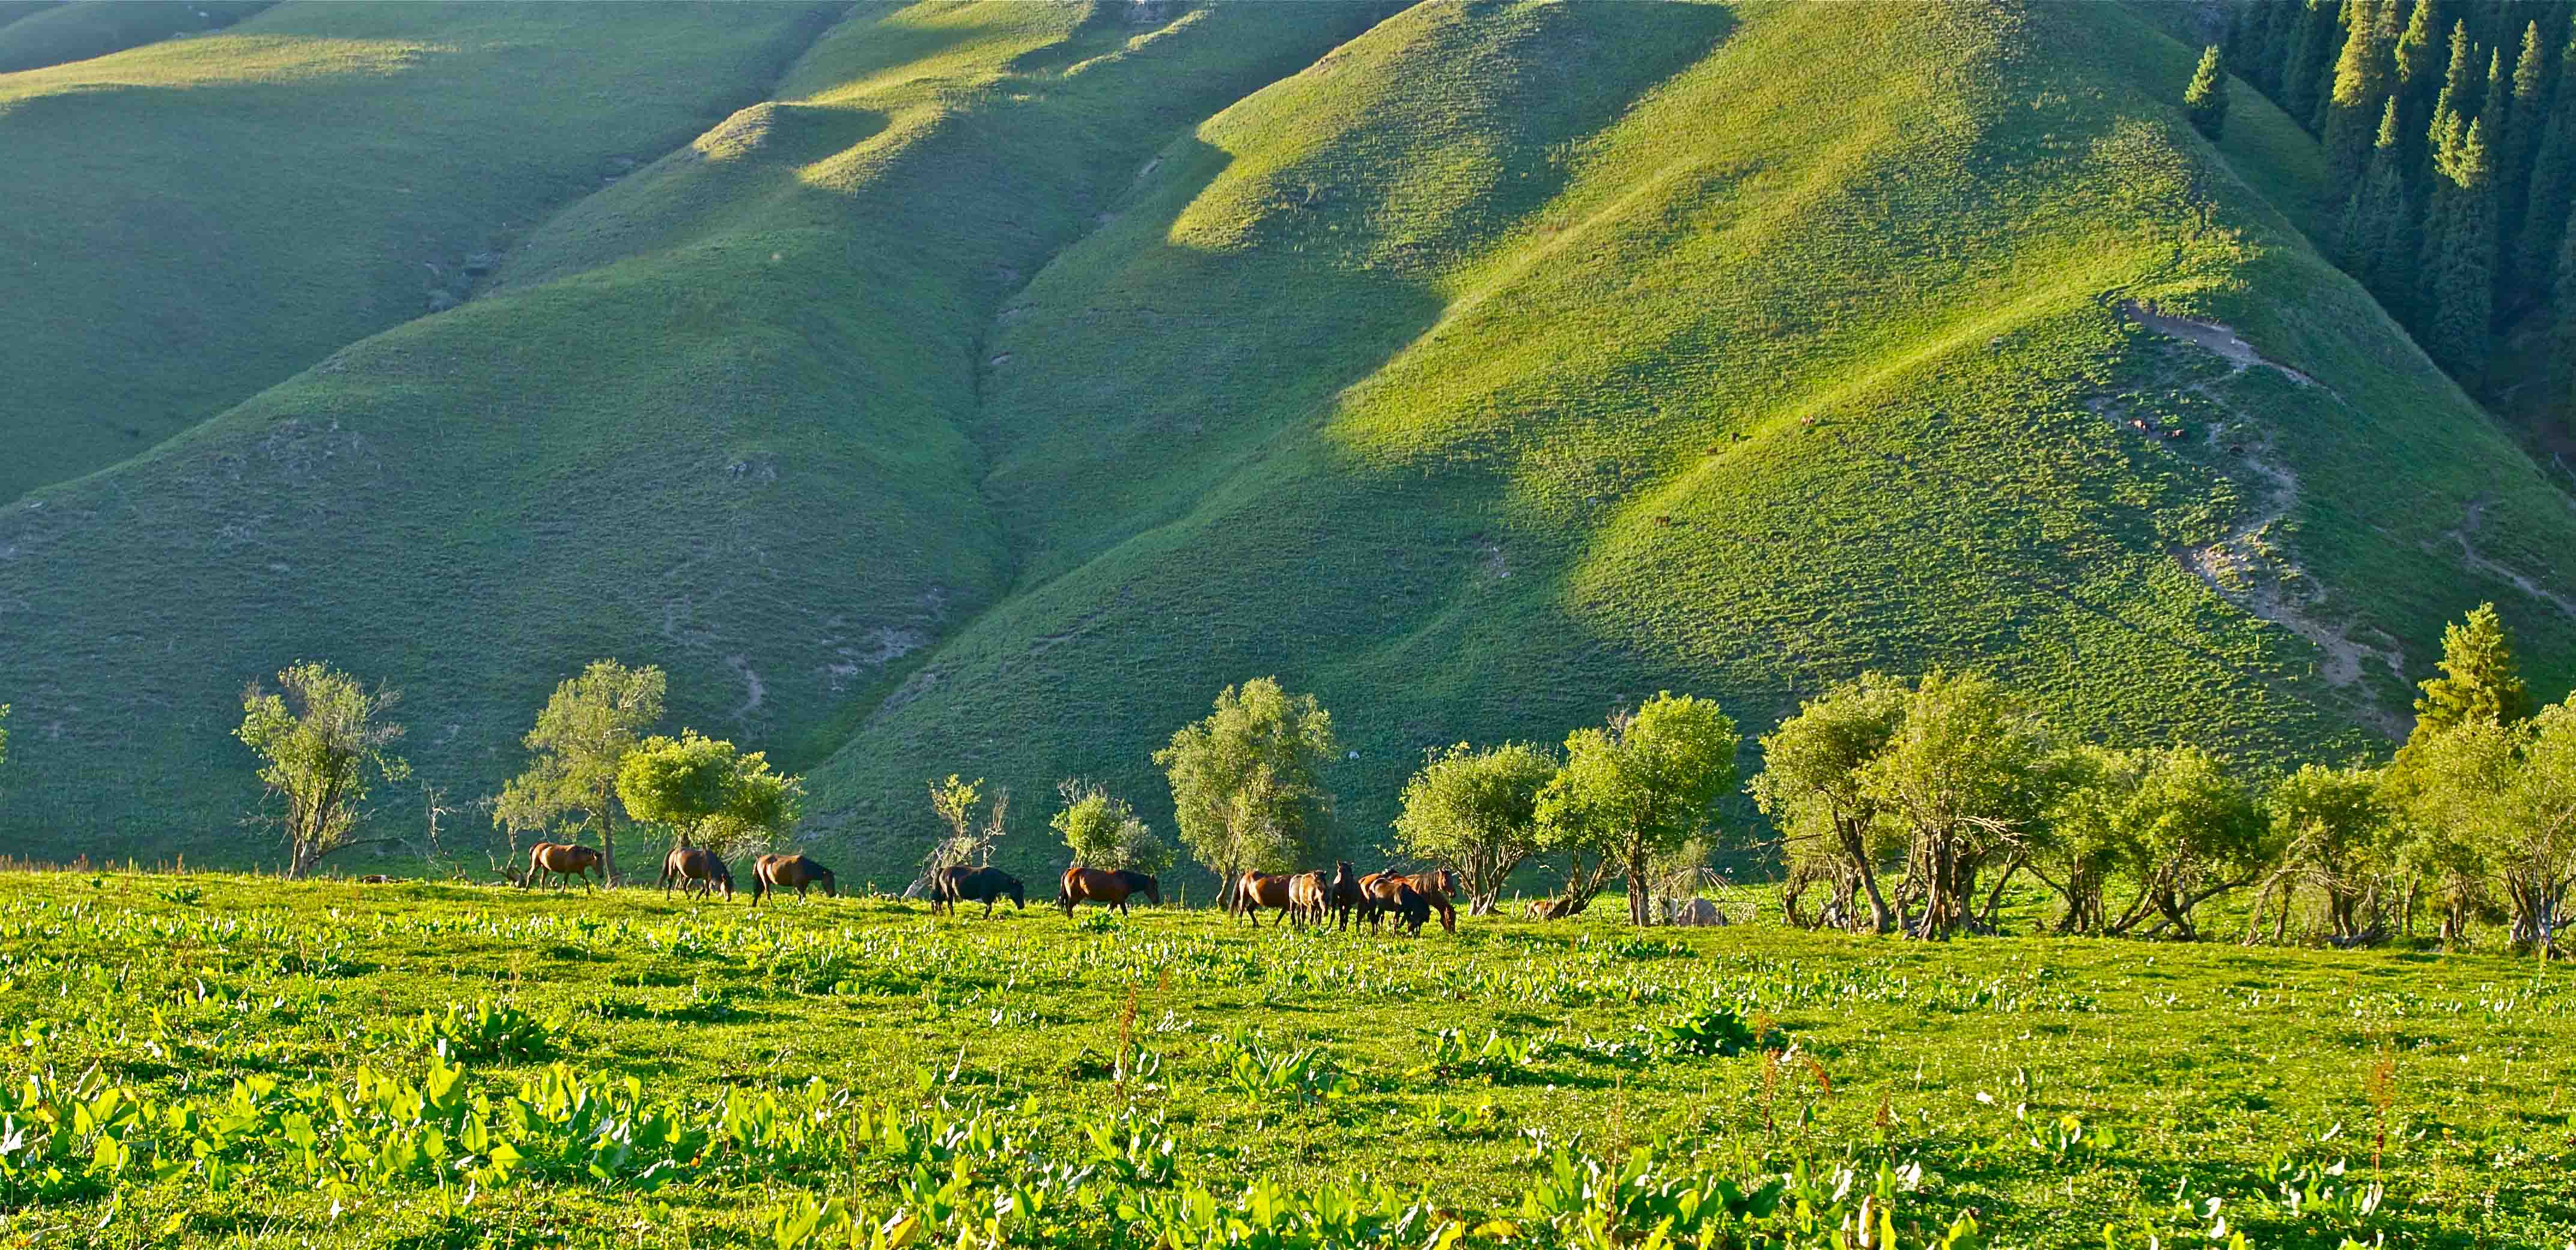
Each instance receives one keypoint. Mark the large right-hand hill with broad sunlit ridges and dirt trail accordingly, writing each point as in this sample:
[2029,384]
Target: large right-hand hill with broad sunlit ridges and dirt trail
[1730,380]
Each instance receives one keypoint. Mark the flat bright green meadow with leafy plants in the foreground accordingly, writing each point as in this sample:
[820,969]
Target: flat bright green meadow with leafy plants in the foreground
[236,1061]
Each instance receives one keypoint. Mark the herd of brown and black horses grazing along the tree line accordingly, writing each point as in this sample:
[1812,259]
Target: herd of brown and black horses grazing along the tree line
[1305,898]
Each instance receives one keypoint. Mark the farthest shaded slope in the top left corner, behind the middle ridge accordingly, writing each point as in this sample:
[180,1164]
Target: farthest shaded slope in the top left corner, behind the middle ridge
[205,218]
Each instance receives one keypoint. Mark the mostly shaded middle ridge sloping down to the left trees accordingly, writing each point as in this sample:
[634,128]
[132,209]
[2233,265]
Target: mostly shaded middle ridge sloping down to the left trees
[707,419]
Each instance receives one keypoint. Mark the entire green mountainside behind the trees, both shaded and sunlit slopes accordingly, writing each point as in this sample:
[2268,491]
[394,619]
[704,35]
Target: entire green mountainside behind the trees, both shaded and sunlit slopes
[980,388]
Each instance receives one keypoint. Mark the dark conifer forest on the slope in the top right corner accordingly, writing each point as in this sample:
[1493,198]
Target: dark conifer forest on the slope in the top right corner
[2451,138]
